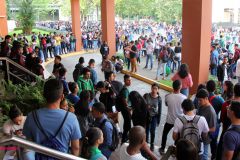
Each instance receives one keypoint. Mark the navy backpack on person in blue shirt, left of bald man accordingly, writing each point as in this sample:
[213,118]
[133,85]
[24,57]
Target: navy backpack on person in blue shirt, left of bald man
[115,134]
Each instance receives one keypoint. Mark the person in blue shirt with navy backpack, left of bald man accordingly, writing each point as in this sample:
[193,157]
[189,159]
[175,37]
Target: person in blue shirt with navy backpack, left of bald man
[110,133]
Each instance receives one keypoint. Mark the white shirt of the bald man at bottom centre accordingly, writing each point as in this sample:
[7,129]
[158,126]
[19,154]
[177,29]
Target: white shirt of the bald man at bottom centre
[125,156]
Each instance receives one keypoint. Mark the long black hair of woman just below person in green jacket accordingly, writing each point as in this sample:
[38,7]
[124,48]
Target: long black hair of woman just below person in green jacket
[82,106]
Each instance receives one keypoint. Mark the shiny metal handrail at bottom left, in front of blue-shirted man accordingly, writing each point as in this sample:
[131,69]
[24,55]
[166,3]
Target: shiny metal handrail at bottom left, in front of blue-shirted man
[13,140]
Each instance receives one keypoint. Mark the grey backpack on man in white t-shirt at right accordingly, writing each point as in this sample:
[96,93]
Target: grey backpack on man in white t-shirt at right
[190,131]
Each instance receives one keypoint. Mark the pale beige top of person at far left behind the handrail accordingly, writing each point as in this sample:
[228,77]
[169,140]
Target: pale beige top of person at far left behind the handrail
[9,127]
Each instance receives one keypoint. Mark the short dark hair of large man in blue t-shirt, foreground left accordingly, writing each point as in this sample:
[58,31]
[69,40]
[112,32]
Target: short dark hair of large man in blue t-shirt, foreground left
[53,90]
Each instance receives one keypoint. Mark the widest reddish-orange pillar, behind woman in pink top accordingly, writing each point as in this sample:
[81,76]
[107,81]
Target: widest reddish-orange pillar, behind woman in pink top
[196,25]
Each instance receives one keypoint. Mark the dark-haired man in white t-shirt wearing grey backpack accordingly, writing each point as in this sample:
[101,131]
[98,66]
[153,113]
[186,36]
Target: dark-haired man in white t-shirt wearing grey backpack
[190,126]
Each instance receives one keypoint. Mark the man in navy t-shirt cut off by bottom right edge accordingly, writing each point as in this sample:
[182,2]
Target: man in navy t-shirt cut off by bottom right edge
[231,139]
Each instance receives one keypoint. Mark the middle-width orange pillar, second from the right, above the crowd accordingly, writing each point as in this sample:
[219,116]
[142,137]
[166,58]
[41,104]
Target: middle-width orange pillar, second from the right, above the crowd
[108,24]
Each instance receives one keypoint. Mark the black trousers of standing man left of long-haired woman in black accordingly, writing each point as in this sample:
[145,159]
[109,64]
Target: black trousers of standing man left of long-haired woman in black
[126,124]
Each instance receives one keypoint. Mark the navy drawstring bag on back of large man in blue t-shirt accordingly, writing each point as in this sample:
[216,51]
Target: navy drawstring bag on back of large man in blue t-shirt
[50,141]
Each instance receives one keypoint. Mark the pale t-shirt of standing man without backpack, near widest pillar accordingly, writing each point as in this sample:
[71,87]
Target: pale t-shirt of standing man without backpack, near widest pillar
[173,102]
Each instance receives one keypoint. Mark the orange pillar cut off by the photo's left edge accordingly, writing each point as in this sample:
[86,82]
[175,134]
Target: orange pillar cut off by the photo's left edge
[3,19]
